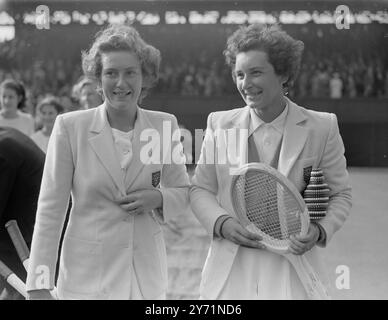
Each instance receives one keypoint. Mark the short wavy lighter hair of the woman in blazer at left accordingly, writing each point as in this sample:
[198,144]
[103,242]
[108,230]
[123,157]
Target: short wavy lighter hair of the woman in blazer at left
[122,38]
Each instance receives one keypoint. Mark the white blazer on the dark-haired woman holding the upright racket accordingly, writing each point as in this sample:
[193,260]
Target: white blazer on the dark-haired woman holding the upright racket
[310,139]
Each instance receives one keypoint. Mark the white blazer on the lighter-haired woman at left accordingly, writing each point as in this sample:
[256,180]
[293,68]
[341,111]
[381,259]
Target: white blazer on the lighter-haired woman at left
[101,239]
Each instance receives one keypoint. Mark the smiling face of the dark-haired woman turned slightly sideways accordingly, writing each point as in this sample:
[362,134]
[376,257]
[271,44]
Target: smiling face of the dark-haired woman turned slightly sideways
[259,85]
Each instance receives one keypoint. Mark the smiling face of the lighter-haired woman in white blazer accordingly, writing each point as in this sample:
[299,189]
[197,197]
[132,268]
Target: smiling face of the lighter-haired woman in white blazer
[121,79]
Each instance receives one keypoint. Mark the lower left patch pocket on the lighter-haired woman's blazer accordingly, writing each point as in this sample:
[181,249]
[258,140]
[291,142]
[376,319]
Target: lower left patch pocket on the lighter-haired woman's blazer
[81,263]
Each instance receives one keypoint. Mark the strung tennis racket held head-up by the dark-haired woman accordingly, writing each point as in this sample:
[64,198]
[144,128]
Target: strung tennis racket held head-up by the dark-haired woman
[268,204]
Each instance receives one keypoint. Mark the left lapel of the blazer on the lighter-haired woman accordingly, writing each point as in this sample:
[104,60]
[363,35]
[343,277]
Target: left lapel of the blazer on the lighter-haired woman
[103,145]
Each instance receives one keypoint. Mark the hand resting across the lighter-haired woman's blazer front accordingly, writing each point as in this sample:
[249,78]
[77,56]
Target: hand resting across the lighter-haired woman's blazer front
[141,201]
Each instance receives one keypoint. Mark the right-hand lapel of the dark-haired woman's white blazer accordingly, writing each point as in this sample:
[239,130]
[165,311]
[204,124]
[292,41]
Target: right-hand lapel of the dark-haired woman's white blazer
[294,138]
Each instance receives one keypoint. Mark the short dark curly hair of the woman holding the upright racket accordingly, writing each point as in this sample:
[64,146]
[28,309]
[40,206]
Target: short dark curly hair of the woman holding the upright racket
[283,51]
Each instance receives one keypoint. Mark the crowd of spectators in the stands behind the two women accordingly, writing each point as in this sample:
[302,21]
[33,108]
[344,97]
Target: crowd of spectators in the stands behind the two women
[335,64]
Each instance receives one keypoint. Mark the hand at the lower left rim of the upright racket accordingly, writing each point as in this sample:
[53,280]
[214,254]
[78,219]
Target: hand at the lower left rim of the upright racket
[232,230]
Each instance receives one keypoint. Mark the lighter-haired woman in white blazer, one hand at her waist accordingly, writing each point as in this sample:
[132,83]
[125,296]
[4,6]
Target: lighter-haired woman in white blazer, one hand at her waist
[124,169]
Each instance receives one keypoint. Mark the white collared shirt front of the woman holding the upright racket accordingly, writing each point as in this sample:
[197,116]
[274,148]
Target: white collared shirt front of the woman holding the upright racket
[267,136]
